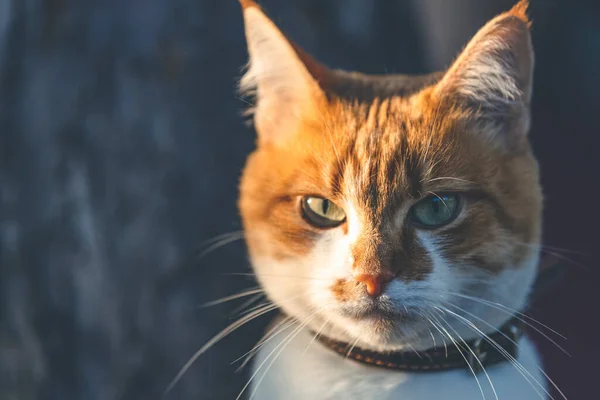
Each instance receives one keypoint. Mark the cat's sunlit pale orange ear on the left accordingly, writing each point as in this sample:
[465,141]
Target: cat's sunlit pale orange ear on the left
[281,77]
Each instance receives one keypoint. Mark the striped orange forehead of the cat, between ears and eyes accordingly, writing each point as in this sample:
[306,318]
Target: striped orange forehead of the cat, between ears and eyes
[381,154]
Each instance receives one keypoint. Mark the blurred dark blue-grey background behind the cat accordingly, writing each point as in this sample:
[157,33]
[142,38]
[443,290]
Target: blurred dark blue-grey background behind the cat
[121,144]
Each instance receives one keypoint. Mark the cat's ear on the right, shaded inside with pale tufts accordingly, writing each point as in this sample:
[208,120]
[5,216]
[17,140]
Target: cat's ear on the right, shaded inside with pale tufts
[494,73]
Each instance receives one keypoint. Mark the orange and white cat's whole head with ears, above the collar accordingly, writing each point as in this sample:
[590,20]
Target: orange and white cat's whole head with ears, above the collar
[373,203]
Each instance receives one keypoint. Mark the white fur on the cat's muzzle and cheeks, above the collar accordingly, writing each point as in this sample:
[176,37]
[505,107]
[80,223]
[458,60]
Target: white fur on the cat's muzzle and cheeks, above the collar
[302,288]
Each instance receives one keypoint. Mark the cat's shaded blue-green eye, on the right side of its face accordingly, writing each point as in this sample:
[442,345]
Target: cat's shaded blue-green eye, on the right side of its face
[436,211]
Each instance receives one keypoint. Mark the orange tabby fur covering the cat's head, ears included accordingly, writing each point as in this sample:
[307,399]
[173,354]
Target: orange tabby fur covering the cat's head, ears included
[380,144]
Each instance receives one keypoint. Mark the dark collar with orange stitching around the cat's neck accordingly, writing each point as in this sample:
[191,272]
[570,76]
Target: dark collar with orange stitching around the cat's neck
[480,353]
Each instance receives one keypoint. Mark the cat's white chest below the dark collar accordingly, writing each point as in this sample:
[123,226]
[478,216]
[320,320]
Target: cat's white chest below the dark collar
[304,369]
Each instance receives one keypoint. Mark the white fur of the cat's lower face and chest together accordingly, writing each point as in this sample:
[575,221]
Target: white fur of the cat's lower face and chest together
[302,288]
